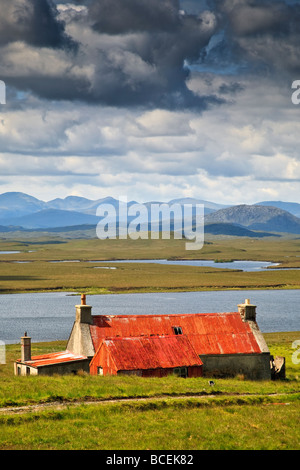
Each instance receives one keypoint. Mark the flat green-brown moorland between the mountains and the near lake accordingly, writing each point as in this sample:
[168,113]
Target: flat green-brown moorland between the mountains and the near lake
[53,265]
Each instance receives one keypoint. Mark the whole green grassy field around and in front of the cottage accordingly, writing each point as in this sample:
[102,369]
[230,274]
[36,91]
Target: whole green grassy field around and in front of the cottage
[178,414]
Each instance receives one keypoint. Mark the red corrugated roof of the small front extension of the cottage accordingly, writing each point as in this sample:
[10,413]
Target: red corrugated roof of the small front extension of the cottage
[152,352]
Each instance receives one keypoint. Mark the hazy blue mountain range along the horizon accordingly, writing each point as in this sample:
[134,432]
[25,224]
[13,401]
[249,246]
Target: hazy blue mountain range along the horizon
[19,211]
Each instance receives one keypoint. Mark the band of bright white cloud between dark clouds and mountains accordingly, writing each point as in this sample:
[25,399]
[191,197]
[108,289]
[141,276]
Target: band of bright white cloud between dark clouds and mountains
[224,154]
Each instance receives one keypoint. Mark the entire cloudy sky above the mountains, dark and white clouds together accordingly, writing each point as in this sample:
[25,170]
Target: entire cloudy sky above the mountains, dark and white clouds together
[151,99]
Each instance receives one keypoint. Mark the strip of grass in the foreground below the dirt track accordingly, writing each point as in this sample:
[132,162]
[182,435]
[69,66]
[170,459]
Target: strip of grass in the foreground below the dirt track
[150,426]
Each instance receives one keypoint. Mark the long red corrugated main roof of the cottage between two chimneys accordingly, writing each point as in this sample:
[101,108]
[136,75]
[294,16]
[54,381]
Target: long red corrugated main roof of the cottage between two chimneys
[209,333]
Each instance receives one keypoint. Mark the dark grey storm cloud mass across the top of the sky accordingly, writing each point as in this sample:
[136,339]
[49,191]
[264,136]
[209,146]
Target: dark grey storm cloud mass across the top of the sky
[140,52]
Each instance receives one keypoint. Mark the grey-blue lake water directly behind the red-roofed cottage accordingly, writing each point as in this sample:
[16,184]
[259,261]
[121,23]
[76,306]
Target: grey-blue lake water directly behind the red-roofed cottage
[50,316]
